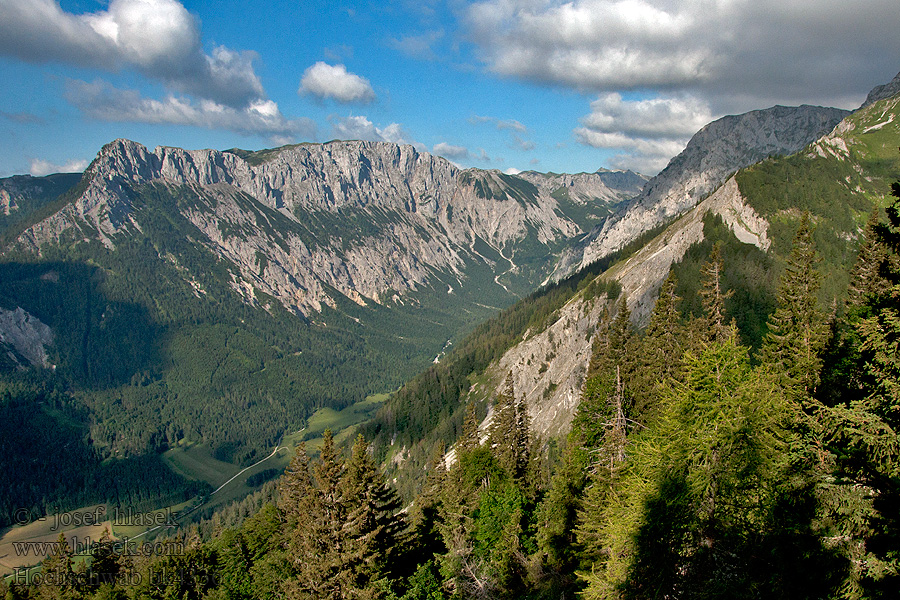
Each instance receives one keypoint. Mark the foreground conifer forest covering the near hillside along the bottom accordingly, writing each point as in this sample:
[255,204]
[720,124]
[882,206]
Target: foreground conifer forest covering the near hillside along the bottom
[696,467]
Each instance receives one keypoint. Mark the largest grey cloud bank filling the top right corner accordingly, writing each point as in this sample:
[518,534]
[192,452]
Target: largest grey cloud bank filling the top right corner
[731,49]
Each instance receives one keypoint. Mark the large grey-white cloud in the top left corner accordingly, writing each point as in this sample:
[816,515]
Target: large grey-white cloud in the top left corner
[158,38]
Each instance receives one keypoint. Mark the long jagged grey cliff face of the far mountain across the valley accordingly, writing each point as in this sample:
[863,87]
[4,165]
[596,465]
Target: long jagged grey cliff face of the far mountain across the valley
[370,220]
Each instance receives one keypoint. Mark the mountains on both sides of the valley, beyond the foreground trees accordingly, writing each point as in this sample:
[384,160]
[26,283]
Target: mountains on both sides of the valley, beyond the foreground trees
[221,297]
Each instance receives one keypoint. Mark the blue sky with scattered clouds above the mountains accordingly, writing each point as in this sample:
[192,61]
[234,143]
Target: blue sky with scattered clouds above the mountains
[506,84]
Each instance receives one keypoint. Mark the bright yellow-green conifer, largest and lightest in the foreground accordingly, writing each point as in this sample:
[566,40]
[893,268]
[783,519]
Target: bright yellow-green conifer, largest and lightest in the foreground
[694,514]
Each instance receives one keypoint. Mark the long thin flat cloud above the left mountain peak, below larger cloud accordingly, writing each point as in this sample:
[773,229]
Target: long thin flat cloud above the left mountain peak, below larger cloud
[104,102]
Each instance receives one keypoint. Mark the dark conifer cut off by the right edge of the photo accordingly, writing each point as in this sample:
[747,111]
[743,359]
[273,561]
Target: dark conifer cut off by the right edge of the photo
[865,428]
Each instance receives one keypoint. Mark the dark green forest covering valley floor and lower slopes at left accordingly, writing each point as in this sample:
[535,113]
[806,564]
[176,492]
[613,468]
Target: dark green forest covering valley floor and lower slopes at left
[154,350]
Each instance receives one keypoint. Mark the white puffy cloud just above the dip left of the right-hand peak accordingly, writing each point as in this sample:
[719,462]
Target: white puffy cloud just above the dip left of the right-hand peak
[648,132]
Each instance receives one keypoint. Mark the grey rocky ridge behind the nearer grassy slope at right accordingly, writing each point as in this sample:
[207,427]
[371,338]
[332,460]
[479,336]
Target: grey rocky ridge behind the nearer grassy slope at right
[713,154]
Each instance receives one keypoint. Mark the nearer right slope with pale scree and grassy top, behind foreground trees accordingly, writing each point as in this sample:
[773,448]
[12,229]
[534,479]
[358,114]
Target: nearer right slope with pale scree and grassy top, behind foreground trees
[839,178]
